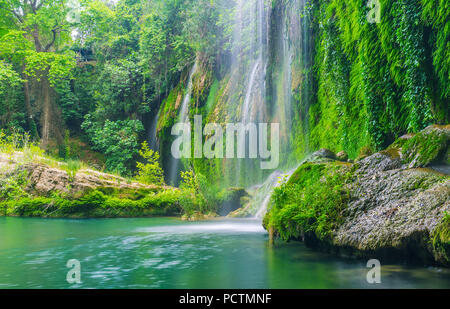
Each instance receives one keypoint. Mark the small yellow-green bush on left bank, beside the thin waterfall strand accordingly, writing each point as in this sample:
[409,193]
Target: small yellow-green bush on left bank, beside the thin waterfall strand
[149,172]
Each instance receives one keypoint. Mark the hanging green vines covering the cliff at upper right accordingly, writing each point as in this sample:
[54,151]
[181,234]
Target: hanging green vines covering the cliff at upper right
[376,81]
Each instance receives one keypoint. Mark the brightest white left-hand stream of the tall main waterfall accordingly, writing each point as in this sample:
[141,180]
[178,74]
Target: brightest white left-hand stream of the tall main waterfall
[250,60]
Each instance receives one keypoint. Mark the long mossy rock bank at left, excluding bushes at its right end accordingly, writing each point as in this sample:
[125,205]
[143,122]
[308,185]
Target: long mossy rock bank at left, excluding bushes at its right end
[38,186]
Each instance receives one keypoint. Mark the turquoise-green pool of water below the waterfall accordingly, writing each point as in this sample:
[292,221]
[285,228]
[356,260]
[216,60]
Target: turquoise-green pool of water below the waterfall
[169,253]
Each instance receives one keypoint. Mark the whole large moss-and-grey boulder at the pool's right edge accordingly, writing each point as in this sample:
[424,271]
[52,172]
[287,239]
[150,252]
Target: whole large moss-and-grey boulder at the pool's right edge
[379,207]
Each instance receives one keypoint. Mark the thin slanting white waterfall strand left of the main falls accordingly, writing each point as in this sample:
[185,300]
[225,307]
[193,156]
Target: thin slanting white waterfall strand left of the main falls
[183,116]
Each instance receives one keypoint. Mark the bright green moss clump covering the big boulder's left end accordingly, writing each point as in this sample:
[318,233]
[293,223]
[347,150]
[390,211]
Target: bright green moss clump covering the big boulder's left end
[311,202]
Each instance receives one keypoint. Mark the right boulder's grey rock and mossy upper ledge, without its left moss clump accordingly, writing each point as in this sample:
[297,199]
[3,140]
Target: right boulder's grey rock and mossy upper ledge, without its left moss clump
[399,202]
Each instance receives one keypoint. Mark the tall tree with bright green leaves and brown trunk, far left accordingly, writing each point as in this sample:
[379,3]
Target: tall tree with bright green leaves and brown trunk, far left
[34,36]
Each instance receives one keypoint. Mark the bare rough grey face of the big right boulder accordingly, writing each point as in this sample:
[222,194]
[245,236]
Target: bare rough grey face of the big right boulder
[395,210]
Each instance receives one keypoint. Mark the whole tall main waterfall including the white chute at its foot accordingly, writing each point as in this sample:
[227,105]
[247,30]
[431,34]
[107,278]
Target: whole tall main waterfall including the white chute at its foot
[290,50]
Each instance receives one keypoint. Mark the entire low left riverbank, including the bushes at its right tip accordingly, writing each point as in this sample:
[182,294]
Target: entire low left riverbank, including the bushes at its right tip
[34,185]
